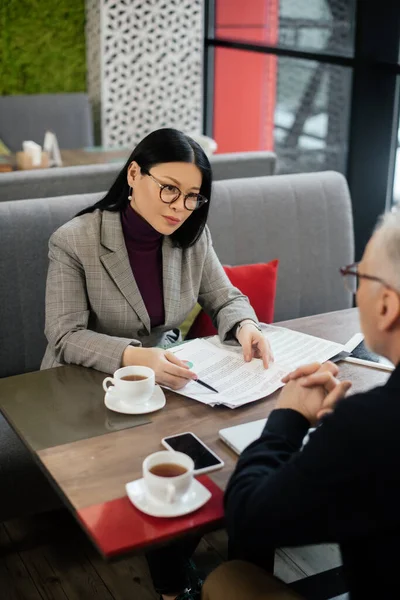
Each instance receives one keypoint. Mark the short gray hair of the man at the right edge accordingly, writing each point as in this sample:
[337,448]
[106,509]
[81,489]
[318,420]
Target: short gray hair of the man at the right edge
[388,229]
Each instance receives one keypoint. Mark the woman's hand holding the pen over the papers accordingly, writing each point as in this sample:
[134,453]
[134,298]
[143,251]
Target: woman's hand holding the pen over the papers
[168,369]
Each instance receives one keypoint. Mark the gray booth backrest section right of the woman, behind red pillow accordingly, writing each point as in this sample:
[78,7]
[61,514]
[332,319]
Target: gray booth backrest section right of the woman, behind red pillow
[304,220]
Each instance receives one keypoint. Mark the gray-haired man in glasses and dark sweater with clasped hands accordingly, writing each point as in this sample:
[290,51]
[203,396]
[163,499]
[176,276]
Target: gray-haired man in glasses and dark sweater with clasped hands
[343,486]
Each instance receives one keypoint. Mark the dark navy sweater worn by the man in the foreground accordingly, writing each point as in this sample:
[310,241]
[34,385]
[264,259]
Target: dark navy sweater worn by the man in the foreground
[343,486]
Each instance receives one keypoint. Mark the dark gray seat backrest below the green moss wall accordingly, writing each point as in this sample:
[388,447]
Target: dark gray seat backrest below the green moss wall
[29,117]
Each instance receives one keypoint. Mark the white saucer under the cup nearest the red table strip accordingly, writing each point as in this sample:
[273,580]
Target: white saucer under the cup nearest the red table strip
[196,496]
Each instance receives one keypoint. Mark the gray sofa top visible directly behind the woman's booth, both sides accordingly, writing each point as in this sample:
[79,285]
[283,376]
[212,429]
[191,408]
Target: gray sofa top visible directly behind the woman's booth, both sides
[45,183]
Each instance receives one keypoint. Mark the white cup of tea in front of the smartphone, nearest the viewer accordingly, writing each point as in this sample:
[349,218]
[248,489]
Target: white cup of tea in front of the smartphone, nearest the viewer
[167,489]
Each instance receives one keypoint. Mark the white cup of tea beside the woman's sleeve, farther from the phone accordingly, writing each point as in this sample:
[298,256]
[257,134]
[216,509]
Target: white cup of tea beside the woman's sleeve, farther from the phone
[132,392]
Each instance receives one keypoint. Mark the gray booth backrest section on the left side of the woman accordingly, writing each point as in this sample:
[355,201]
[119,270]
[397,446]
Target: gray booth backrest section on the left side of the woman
[25,229]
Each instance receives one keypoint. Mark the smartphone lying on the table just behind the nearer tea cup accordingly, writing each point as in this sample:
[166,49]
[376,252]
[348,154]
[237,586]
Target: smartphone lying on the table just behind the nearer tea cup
[205,460]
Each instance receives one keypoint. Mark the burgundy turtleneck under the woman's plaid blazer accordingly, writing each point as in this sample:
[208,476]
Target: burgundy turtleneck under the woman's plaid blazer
[144,246]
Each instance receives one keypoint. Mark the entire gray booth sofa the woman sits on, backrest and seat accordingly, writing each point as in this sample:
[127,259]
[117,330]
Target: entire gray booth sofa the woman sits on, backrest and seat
[303,220]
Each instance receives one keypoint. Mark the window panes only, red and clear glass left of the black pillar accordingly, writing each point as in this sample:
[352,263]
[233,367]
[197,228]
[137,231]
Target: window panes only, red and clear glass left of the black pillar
[298,108]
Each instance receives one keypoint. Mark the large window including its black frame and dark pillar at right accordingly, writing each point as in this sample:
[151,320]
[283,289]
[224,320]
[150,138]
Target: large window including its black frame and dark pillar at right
[314,81]
